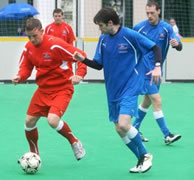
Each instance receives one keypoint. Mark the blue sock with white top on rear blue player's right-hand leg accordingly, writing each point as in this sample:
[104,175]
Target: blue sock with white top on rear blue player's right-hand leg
[158,115]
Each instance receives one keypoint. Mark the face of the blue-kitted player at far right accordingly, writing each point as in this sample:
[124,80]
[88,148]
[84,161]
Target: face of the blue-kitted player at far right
[152,14]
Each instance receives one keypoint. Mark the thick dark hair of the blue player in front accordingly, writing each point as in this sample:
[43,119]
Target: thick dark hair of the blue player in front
[105,15]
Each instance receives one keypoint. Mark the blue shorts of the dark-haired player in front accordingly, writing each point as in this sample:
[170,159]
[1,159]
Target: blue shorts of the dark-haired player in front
[127,105]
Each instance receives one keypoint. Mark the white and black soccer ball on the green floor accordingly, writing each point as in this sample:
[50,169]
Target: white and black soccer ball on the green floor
[30,162]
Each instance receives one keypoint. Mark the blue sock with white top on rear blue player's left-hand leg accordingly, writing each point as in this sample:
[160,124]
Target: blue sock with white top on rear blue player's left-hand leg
[141,114]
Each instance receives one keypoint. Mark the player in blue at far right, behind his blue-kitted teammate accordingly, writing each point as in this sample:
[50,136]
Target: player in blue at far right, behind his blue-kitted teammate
[162,34]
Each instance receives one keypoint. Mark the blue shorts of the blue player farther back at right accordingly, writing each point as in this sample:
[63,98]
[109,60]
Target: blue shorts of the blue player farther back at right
[150,89]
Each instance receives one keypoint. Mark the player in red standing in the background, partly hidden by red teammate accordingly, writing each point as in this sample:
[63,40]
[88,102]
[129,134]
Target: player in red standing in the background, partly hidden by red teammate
[64,31]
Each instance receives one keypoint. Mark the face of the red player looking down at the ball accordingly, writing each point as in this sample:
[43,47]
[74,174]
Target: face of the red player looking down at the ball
[35,36]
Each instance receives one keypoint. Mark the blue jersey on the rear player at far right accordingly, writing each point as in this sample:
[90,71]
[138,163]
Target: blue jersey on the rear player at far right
[161,34]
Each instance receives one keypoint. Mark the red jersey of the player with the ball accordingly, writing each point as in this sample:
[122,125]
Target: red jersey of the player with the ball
[50,60]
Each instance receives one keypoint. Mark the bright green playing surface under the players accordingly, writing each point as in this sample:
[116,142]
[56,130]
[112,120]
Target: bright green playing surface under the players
[107,157]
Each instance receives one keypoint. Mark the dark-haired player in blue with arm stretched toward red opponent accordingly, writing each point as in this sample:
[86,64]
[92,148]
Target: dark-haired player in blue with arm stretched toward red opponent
[119,52]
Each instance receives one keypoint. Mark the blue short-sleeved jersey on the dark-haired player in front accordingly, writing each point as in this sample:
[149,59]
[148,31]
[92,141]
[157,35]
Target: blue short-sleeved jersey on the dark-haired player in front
[121,57]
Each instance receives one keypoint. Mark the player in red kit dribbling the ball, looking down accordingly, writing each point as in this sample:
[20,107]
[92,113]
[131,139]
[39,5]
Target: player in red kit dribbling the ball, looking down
[49,55]
